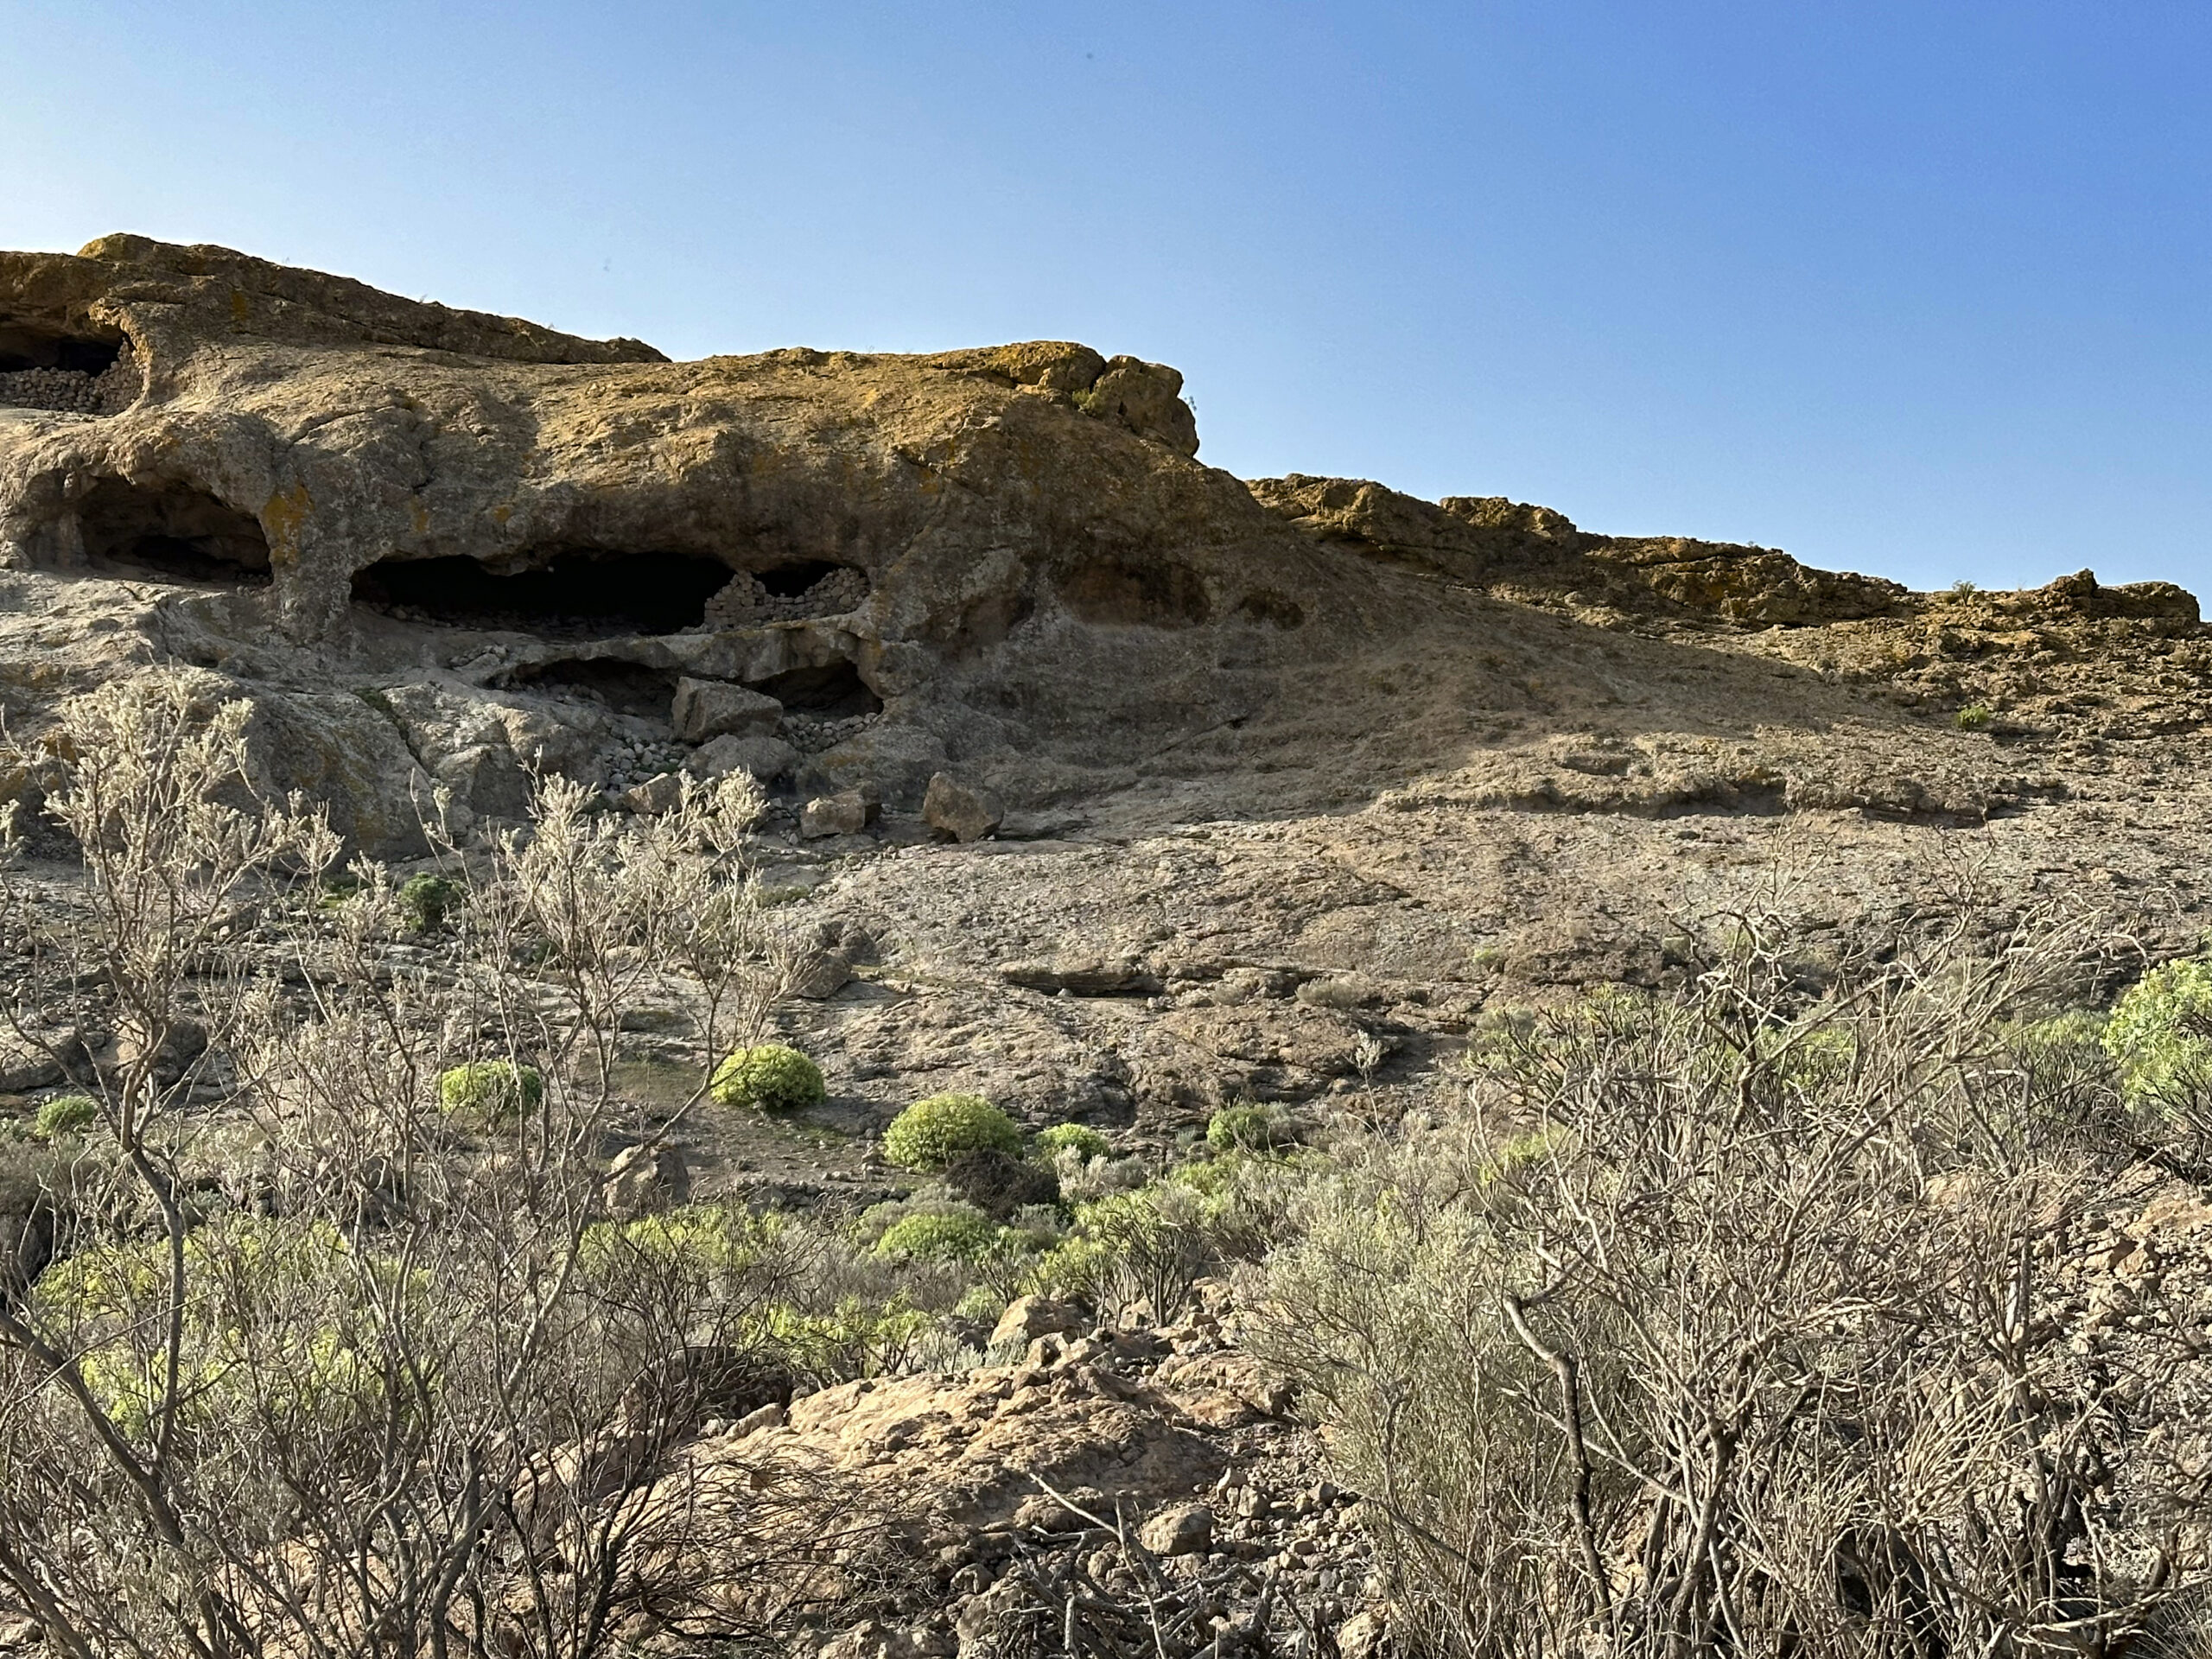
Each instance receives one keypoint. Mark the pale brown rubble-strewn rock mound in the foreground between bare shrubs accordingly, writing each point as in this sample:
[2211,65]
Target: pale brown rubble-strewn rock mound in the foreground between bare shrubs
[1151,1461]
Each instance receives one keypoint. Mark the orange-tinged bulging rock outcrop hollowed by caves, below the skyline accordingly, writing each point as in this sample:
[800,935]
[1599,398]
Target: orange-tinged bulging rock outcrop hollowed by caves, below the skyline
[512,545]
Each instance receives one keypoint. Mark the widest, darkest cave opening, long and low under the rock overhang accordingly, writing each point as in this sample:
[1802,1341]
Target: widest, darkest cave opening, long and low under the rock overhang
[570,594]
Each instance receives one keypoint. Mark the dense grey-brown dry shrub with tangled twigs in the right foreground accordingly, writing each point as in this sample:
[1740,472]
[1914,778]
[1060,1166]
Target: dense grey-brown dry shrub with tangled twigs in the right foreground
[1735,1322]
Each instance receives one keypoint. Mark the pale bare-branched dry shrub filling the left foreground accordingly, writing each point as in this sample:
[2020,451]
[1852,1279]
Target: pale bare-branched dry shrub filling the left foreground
[404,1390]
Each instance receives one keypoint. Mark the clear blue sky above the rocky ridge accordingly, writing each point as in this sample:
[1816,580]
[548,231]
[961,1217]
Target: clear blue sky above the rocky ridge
[1906,289]
